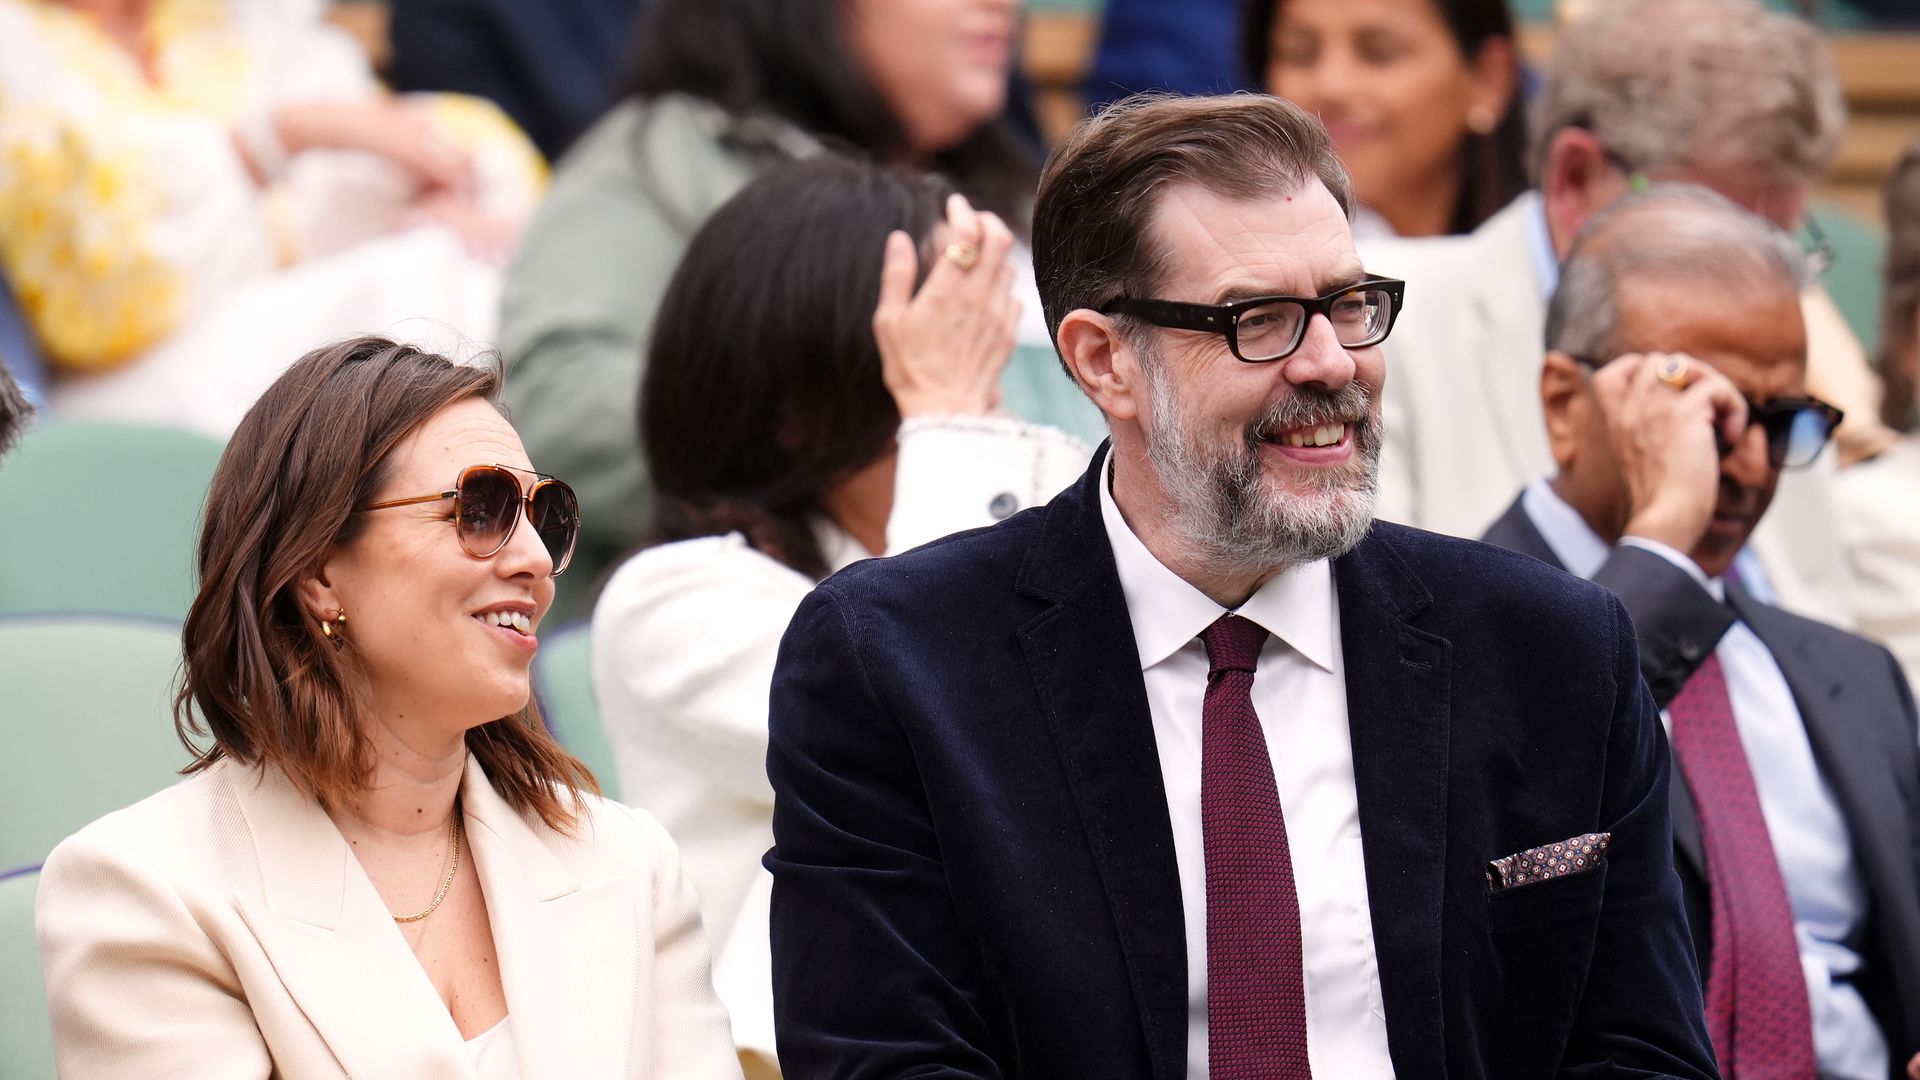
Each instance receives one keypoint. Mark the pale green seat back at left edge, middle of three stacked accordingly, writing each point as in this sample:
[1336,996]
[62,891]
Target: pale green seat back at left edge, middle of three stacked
[89,724]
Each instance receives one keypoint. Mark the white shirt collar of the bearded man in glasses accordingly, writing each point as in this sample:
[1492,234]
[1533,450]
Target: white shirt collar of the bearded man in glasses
[1297,606]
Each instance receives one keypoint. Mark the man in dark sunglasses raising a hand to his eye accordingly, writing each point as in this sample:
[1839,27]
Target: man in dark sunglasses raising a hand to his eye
[1675,395]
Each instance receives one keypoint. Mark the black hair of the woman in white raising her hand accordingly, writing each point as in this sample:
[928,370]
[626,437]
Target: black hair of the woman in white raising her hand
[763,378]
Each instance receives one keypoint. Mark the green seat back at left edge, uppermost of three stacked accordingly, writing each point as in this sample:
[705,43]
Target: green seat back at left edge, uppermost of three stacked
[103,518]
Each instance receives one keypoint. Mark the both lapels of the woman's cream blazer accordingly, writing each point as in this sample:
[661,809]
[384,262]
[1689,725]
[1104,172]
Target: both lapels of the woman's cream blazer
[339,950]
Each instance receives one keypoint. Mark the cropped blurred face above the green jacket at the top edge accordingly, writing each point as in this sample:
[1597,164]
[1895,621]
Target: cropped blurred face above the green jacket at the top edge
[940,66]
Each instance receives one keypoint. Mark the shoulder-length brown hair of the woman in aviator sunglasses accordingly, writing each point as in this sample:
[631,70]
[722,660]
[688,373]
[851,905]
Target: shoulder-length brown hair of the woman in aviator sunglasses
[258,675]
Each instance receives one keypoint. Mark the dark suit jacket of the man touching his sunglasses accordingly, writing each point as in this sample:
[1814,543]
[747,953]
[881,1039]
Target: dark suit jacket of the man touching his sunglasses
[1860,720]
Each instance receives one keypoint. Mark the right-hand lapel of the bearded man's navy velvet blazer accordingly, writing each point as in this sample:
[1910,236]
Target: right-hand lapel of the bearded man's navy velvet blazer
[1399,712]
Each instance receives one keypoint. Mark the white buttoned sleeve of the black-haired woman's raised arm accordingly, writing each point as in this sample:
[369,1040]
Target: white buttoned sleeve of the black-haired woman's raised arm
[961,474]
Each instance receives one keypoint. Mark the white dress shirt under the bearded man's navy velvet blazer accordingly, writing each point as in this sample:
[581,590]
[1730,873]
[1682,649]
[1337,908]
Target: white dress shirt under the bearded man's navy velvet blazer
[1301,697]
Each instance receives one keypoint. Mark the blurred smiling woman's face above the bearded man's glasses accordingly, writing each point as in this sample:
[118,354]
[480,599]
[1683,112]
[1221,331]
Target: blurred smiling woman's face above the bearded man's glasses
[1393,87]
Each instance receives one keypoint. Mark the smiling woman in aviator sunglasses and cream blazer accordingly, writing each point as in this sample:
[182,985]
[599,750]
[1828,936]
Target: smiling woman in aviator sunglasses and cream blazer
[381,862]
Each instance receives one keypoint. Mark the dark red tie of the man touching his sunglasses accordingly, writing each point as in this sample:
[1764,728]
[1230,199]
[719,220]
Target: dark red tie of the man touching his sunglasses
[1756,994]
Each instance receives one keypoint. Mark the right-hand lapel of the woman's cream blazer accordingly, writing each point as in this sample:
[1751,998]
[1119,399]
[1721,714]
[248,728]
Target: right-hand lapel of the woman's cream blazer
[567,954]
